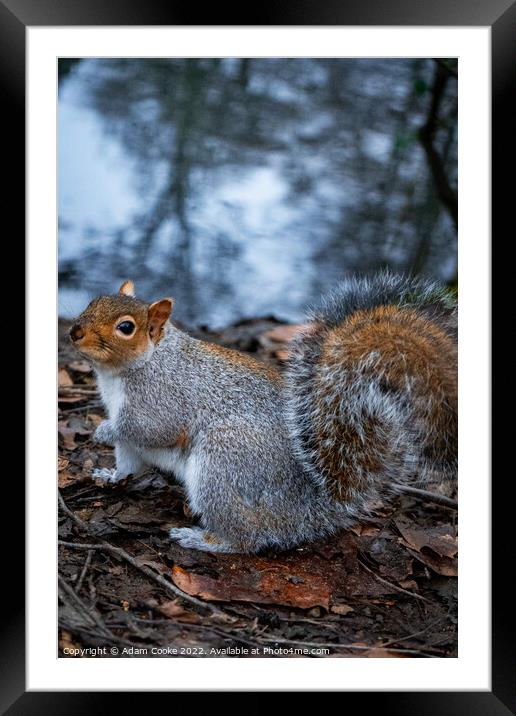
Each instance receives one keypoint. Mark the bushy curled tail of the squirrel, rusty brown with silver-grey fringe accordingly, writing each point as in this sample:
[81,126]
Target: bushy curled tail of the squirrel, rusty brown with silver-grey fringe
[371,387]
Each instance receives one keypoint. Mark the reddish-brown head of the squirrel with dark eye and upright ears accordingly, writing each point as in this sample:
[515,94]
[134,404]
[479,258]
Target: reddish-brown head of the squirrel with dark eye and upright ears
[114,330]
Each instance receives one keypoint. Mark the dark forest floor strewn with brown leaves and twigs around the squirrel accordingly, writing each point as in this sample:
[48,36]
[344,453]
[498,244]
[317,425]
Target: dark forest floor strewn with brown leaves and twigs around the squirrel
[386,588]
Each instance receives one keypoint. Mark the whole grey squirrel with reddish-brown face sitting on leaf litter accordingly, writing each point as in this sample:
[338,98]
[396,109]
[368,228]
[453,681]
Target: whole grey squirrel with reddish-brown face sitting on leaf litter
[368,401]
